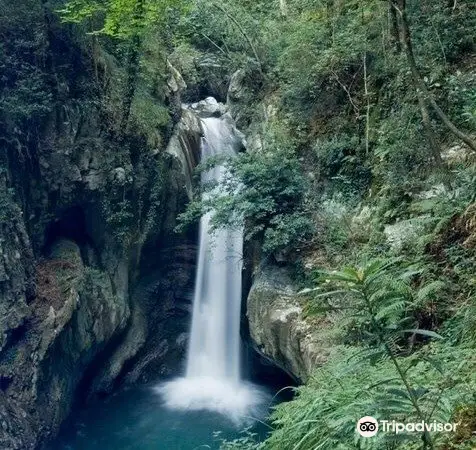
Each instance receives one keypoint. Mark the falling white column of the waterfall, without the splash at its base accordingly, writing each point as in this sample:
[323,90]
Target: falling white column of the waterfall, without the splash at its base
[214,349]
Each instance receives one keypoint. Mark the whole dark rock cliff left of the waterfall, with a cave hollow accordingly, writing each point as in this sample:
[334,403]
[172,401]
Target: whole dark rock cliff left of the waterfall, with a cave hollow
[94,283]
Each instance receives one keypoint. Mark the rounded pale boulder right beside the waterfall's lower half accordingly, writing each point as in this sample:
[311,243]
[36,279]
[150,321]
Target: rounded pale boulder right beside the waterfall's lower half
[277,327]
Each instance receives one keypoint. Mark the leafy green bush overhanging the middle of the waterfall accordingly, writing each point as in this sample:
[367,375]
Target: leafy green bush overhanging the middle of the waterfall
[265,189]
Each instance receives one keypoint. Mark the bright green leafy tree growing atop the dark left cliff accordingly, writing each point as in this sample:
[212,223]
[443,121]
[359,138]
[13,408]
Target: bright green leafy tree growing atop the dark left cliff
[138,33]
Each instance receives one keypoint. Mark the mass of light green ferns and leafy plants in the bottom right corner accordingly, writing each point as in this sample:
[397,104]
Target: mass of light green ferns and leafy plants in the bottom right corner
[375,373]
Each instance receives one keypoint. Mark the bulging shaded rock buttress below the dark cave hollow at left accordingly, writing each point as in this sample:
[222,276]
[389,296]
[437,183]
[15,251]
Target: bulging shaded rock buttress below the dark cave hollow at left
[73,316]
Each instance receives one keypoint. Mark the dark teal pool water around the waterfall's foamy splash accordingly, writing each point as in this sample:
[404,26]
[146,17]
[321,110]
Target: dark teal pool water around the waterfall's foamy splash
[136,419]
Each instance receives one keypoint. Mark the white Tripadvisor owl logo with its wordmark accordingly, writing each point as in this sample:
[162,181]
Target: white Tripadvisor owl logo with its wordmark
[368,426]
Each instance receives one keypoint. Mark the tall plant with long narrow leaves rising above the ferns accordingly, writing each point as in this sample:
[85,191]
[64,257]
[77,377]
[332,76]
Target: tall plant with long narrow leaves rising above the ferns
[381,300]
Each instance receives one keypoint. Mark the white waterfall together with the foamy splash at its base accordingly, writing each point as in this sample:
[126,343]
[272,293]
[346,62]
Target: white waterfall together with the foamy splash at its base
[213,380]
